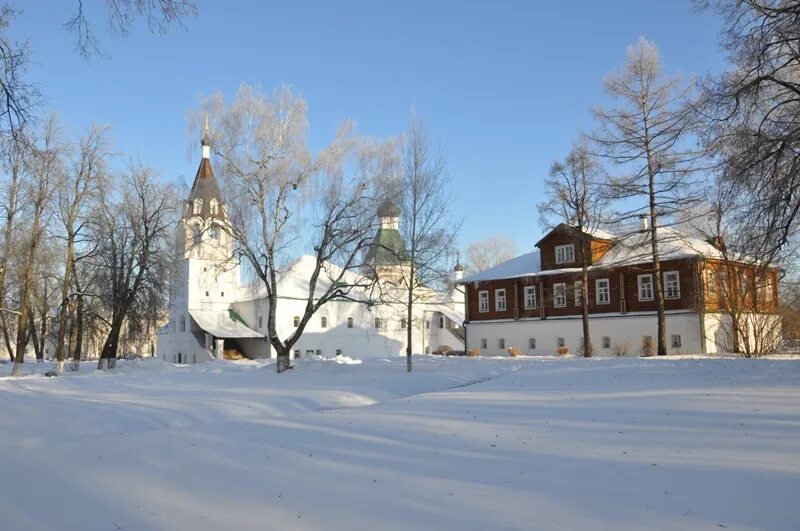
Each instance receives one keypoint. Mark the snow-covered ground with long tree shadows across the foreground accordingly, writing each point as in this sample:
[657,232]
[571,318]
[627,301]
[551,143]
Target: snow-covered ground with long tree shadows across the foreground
[461,443]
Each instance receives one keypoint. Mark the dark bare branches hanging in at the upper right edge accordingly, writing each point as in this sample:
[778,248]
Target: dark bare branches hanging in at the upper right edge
[753,116]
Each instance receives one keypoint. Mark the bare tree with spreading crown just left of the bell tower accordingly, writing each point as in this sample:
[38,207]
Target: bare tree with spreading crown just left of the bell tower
[133,231]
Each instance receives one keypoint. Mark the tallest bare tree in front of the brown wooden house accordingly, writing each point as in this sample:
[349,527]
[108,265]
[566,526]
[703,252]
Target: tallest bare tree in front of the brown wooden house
[647,137]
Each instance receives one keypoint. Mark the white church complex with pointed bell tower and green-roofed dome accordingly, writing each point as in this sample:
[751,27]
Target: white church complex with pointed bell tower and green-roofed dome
[214,315]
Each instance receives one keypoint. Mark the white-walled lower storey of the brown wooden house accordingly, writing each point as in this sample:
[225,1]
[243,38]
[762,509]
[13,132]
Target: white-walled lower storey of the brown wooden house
[611,334]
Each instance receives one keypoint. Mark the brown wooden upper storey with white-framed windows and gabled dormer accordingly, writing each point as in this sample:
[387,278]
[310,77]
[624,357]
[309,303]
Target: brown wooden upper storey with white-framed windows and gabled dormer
[618,282]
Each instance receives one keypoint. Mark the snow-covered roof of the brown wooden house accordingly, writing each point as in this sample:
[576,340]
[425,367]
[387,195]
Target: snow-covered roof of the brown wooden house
[628,249]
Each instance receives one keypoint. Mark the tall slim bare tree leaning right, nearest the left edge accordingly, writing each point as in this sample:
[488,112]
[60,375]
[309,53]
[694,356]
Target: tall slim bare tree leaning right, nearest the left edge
[42,170]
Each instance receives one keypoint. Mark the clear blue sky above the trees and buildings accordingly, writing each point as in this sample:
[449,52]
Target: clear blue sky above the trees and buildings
[504,86]
